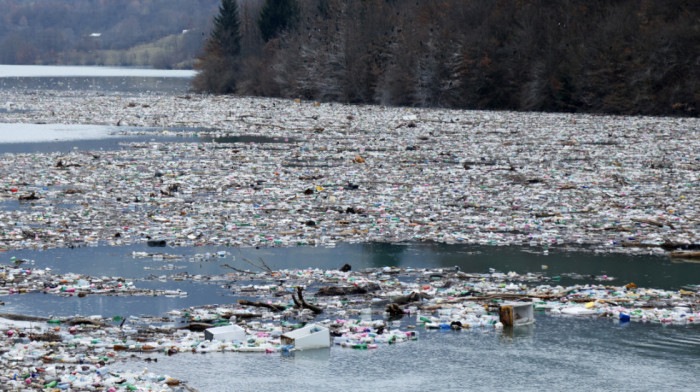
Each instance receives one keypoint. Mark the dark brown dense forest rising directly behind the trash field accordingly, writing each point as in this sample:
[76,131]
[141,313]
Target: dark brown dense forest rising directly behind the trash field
[621,56]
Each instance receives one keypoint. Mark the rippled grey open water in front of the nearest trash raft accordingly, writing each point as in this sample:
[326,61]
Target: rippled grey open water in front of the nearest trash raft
[560,354]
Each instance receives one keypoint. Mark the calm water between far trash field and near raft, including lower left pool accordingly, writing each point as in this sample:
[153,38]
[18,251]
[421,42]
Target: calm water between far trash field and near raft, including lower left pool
[571,267]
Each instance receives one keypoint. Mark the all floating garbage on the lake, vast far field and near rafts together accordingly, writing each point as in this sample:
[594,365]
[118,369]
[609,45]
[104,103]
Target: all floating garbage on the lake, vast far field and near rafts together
[536,180]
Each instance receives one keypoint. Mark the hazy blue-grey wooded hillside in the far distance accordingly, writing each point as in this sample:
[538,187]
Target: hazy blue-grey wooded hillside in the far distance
[63,31]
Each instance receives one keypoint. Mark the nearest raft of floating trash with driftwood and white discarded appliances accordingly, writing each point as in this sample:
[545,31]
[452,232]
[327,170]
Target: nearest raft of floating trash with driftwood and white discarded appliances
[362,310]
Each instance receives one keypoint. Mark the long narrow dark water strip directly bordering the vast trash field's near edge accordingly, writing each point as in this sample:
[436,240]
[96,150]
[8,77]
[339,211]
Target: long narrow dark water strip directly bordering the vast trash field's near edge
[567,267]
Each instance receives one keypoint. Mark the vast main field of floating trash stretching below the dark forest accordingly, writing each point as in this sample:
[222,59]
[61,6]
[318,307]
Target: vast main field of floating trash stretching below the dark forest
[329,173]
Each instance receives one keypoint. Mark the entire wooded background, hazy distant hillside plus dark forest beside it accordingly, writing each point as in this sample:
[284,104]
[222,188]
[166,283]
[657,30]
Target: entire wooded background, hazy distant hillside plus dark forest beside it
[594,56]
